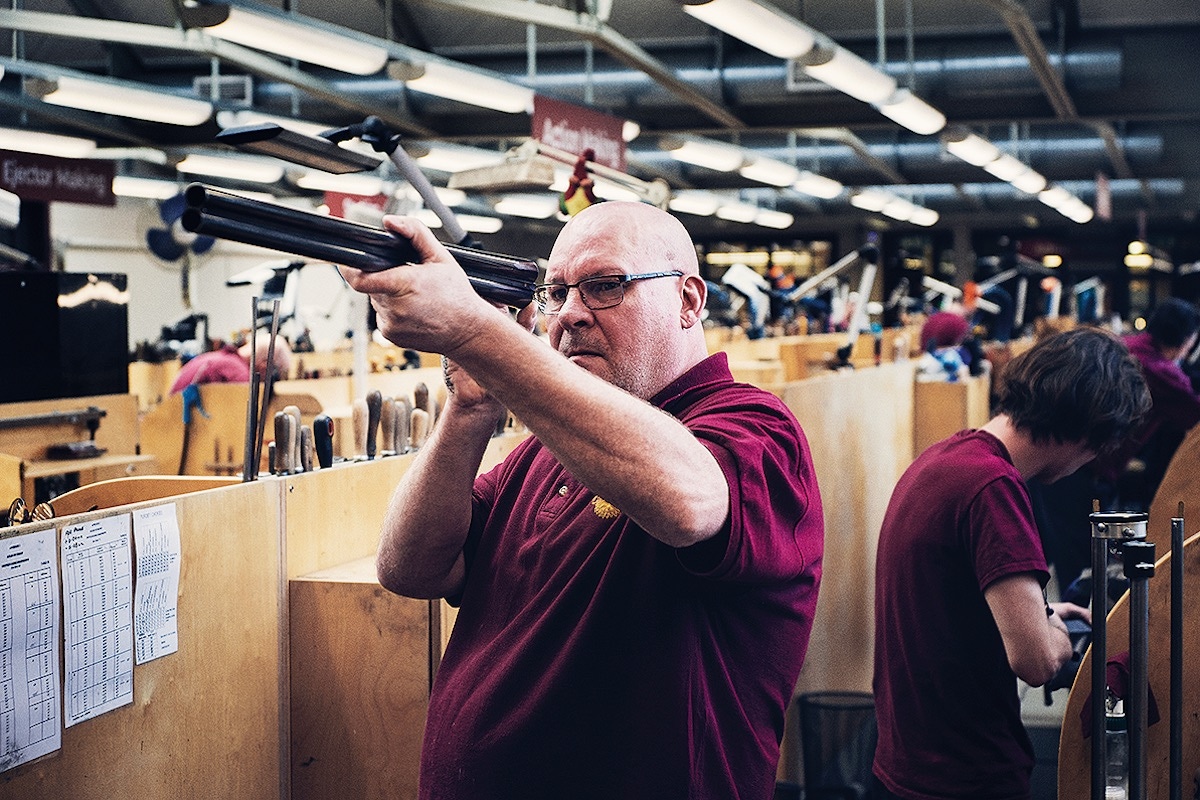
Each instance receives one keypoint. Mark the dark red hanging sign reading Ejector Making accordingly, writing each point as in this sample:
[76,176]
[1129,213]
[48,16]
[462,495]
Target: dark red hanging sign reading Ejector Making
[45,178]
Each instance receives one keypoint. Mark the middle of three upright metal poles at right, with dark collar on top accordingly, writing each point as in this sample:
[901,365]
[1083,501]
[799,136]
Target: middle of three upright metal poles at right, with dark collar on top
[1139,568]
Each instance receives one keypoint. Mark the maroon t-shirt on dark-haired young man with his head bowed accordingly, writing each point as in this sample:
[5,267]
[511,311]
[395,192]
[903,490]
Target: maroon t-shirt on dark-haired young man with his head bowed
[946,699]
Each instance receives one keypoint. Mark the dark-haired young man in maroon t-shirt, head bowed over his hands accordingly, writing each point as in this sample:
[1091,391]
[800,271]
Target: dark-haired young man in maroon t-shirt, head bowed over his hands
[959,606]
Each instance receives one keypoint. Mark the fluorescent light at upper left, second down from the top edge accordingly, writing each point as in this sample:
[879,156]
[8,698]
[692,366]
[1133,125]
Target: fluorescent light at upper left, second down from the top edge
[119,99]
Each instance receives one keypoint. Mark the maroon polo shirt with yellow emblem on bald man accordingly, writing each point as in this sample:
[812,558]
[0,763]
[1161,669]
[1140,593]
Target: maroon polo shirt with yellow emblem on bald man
[590,660]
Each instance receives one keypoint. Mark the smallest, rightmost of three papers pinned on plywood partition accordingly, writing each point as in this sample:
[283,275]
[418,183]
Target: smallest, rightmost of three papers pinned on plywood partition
[155,599]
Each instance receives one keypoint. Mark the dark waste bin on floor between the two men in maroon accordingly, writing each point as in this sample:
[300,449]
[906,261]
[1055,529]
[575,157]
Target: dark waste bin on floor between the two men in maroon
[838,744]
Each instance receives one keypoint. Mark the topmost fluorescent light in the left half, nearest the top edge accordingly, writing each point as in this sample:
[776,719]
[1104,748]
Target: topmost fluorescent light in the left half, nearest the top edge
[289,35]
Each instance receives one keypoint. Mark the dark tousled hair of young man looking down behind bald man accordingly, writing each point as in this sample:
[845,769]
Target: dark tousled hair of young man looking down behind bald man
[1081,386]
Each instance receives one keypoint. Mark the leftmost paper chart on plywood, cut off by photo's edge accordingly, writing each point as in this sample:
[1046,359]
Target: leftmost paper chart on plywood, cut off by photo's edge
[31,725]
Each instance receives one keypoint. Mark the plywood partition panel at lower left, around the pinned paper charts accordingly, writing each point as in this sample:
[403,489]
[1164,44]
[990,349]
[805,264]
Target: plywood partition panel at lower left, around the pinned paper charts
[206,723]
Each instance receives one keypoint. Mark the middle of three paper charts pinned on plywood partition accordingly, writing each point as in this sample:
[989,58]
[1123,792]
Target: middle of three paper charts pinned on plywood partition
[98,603]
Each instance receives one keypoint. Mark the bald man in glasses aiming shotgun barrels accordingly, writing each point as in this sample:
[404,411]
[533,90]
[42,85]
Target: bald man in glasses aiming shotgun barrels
[637,582]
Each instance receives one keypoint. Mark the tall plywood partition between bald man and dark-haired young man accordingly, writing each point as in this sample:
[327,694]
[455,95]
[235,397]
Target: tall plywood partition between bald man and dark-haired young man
[860,429]
